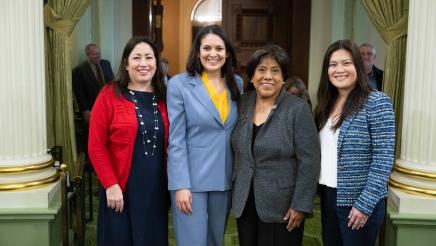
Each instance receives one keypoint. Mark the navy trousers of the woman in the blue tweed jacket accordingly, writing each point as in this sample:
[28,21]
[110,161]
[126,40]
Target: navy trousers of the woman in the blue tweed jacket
[334,220]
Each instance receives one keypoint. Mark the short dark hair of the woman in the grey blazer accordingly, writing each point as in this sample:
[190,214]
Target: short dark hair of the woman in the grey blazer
[272,51]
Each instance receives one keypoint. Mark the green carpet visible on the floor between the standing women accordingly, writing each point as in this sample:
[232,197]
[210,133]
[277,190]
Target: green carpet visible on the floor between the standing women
[312,227]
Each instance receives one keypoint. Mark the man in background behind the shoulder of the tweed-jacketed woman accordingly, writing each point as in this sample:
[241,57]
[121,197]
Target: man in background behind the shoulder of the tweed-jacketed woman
[375,75]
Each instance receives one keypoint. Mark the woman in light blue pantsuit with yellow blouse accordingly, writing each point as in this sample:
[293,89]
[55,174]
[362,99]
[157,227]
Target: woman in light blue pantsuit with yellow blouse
[202,108]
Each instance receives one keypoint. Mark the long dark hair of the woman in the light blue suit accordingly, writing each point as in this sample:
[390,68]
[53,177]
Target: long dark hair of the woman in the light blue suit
[194,66]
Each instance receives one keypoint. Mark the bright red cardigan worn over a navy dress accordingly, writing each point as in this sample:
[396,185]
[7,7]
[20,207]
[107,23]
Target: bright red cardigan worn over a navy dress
[112,132]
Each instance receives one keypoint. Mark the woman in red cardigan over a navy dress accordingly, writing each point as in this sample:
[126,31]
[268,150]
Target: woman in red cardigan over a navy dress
[127,145]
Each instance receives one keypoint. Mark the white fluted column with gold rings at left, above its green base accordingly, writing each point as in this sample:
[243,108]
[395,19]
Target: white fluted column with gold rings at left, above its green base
[27,176]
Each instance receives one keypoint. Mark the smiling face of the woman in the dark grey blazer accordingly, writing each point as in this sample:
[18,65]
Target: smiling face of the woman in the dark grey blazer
[268,78]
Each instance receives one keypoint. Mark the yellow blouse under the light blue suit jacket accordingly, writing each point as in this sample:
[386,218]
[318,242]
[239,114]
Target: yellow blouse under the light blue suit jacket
[219,100]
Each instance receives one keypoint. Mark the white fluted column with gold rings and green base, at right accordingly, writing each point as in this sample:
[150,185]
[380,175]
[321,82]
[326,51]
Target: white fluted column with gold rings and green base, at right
[411,218]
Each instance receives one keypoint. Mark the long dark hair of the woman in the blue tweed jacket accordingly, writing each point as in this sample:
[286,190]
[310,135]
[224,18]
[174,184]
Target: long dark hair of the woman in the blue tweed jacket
[327,93]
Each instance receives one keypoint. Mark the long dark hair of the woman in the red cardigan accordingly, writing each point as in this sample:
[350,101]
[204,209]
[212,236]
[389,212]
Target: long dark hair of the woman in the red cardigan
[122,79]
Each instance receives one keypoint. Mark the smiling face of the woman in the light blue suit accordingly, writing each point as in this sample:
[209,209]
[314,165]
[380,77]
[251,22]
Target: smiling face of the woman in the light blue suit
[213,53]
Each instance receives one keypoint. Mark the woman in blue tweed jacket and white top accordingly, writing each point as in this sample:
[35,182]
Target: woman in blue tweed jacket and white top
[357,136]
